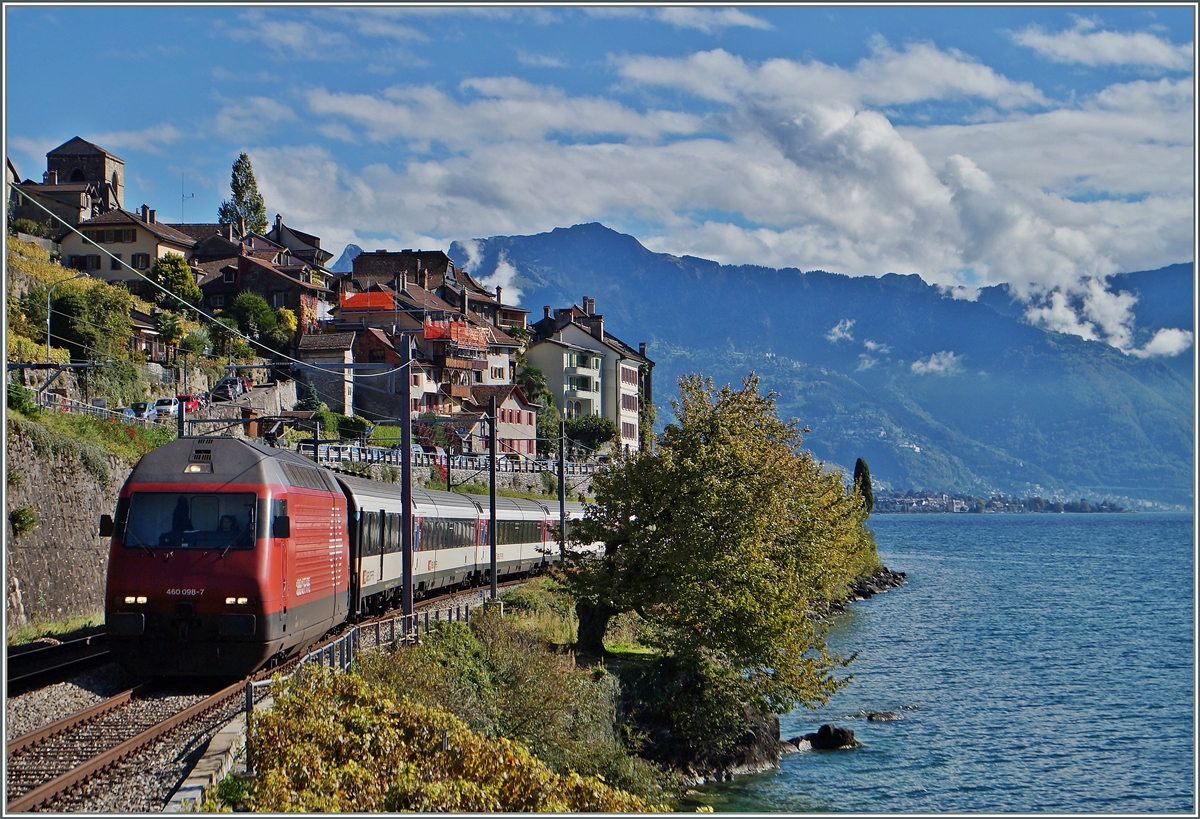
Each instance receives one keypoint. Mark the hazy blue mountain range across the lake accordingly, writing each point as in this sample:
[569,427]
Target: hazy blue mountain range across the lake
[935,393]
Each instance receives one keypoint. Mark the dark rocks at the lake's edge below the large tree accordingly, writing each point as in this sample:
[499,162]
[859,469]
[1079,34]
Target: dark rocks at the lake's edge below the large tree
[761,748]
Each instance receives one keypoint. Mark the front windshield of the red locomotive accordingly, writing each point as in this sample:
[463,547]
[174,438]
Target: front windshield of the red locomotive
[191,521]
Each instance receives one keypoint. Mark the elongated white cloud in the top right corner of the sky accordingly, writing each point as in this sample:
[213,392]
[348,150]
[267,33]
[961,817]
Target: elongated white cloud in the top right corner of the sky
[1083,46]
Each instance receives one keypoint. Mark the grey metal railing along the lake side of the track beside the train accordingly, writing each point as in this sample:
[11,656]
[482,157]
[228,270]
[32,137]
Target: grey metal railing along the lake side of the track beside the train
[341,654]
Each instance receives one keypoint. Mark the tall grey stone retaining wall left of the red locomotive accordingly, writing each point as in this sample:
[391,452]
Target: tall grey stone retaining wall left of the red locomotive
[58,570]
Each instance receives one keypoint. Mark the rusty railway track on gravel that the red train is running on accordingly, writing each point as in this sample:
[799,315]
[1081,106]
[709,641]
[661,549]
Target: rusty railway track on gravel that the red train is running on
[45,766]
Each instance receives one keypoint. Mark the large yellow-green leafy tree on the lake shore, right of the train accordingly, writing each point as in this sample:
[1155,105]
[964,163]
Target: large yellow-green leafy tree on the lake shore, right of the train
[723,541]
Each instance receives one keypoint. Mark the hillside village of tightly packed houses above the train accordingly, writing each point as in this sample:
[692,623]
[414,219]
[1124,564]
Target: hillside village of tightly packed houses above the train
[339,336]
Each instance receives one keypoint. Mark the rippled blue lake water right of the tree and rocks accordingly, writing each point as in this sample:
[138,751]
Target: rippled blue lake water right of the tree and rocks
[1042,663]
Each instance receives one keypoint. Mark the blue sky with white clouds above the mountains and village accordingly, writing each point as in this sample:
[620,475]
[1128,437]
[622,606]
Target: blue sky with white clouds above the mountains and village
[1042,147]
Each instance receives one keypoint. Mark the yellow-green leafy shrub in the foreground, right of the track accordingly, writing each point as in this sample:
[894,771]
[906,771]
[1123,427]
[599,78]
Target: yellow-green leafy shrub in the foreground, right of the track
[338,743]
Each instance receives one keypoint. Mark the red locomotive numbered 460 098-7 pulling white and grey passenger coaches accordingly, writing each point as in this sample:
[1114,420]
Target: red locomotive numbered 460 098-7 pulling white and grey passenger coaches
[229,555]
